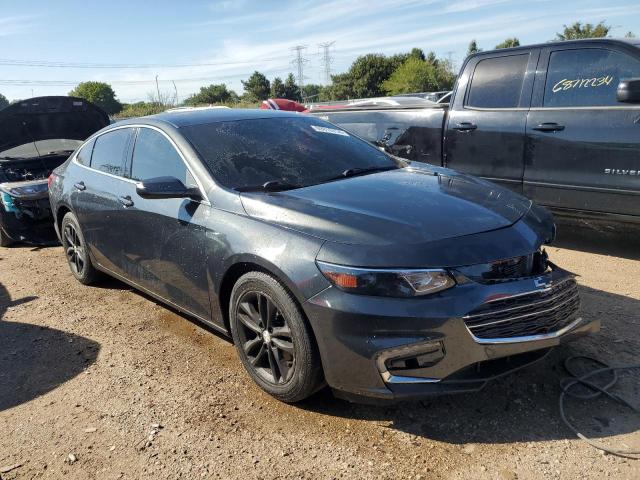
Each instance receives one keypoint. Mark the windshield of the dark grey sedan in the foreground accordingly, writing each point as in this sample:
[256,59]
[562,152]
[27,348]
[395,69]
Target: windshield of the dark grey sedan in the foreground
[289,152]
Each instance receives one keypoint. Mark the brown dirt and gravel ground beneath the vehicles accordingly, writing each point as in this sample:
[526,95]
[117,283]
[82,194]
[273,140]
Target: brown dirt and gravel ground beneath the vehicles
[103,383]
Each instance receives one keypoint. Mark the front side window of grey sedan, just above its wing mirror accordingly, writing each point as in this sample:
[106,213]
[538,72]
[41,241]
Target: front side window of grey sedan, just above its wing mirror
[154,156]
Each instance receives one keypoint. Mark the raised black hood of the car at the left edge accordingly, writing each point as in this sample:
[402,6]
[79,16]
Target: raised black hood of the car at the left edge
[47,118]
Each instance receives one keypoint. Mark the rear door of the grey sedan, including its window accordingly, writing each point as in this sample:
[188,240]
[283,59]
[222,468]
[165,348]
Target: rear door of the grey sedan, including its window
[96,197]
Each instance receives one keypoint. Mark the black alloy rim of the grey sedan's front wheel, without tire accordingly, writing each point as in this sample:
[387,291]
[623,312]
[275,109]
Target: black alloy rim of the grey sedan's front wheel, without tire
[266,338]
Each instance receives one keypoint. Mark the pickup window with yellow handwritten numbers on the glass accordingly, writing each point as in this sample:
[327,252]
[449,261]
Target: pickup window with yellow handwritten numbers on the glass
[587,77]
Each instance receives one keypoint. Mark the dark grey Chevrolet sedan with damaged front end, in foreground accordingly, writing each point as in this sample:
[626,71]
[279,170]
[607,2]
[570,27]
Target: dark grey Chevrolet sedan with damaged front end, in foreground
[326,259]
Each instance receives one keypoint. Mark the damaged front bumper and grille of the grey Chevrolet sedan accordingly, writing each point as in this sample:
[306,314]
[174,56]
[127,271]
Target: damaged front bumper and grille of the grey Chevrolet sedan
[398,348]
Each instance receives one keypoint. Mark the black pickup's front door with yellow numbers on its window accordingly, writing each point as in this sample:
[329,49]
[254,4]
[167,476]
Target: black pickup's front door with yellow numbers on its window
[582,145]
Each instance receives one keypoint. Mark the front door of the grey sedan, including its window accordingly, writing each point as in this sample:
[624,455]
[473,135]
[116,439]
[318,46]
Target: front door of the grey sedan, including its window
[165,238]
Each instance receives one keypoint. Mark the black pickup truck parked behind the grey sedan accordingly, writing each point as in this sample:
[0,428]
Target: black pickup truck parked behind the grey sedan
[557,122]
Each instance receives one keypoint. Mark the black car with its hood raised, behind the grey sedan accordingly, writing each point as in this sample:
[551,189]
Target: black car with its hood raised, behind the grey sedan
[36,136]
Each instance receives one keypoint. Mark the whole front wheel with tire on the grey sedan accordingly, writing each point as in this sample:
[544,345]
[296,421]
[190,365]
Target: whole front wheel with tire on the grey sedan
[285,361]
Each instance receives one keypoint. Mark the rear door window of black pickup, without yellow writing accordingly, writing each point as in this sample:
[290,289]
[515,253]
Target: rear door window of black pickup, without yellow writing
[497,82]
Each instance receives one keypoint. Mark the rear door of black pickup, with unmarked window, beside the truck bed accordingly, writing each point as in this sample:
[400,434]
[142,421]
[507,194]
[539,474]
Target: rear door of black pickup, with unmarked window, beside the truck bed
[485,130]
